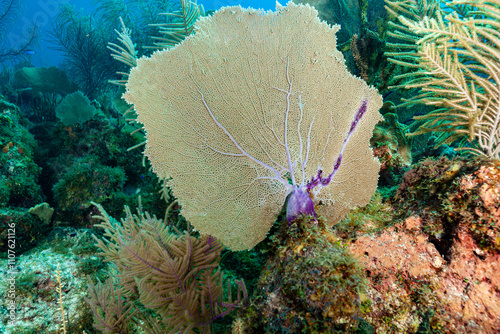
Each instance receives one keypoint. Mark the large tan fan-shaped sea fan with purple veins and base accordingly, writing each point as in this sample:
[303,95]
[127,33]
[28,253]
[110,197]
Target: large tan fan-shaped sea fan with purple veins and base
[253,107]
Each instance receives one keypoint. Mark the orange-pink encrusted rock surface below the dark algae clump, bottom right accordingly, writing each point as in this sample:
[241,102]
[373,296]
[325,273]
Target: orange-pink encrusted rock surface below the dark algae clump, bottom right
[411,281]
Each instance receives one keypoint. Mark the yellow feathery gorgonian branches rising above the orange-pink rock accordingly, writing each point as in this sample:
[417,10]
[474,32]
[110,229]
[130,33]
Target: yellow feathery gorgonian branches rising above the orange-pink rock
[457,57]
